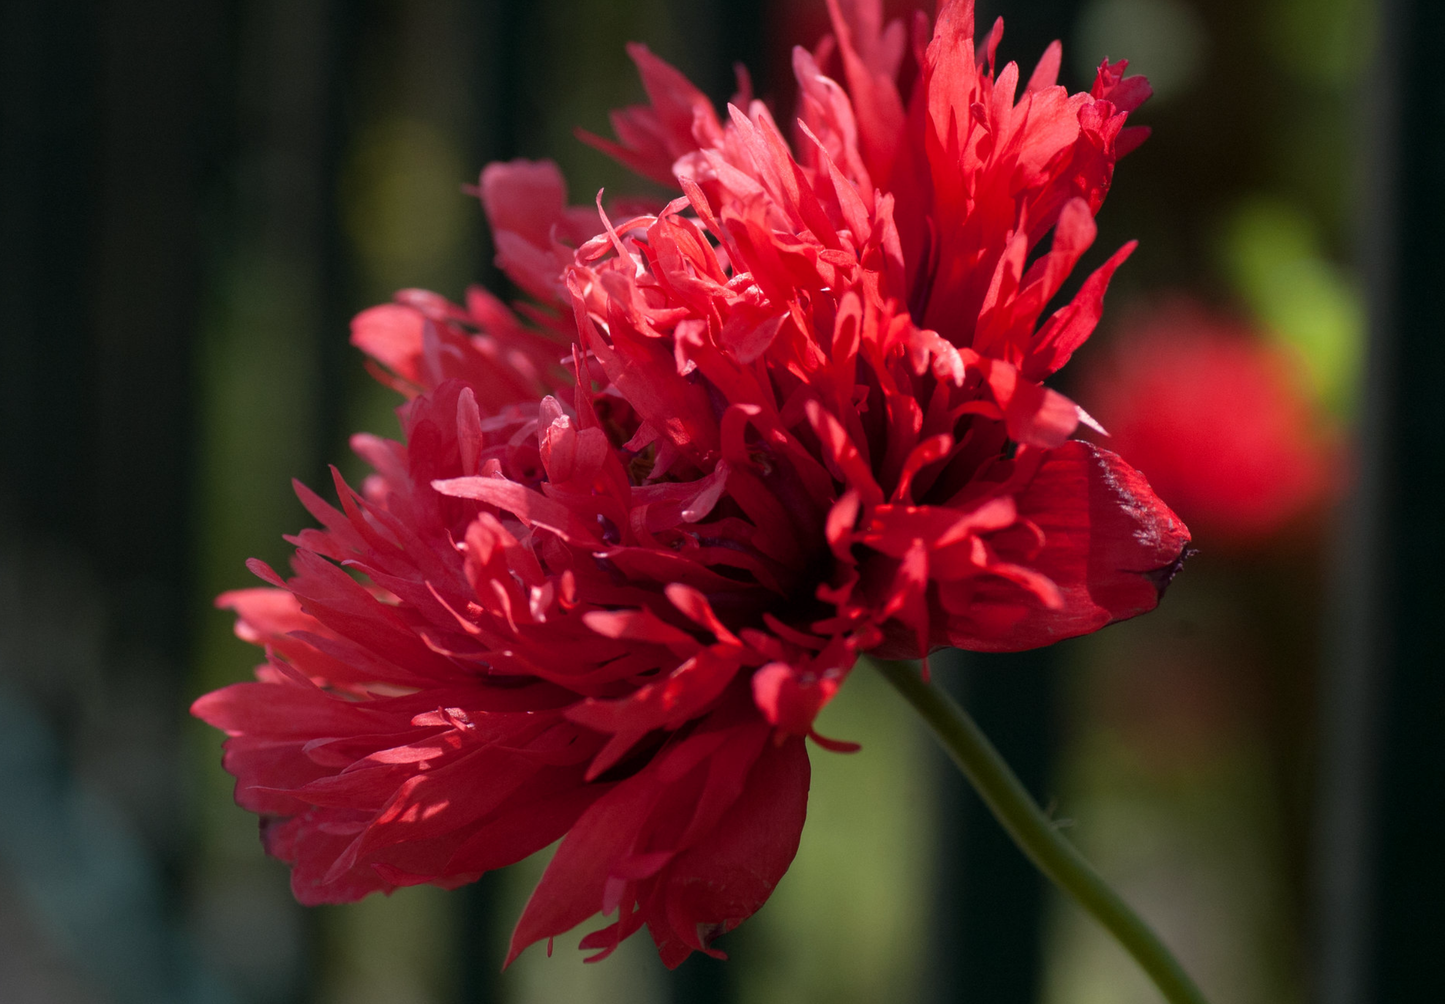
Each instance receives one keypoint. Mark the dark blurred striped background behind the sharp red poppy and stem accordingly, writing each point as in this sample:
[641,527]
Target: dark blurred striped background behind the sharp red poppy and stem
[197,196]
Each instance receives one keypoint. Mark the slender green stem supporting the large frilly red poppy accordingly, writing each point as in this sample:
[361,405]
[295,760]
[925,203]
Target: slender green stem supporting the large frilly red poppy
[1035,833]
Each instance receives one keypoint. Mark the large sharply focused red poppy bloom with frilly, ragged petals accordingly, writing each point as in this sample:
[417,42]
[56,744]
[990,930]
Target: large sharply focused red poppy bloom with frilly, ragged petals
[642,527]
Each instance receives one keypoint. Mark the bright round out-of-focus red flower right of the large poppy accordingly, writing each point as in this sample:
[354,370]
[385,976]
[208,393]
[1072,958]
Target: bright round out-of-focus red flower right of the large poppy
[1219,421]
